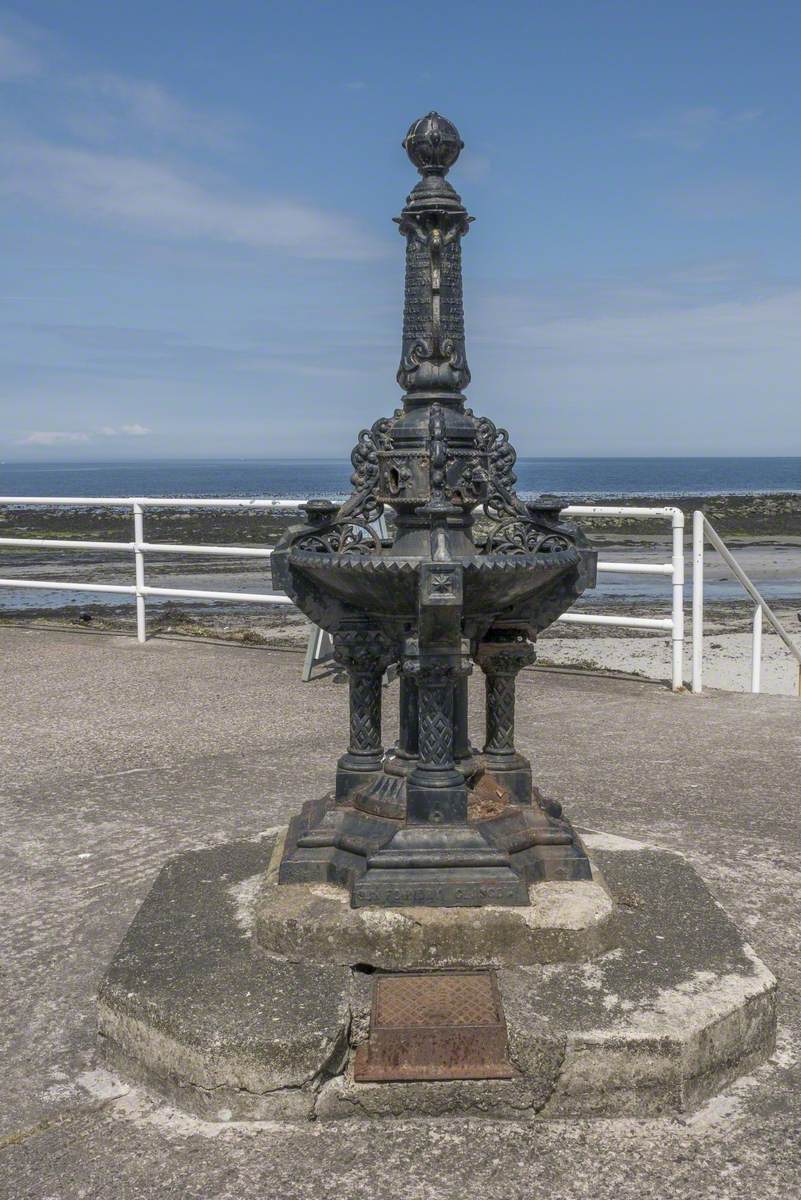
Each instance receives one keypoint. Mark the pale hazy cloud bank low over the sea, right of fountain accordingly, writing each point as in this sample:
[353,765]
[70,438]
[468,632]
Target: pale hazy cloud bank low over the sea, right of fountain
[671,376]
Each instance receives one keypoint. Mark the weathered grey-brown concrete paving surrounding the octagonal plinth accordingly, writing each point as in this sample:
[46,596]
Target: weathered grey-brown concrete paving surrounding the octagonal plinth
[116,757]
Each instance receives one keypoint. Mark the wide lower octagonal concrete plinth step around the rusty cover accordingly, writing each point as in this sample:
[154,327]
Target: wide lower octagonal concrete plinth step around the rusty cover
[667,1016]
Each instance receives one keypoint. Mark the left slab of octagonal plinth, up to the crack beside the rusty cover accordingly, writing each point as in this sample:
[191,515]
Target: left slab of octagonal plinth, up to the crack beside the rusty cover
[186,1006]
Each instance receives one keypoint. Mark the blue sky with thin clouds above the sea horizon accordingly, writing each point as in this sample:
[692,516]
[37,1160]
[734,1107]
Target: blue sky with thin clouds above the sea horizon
[198,257]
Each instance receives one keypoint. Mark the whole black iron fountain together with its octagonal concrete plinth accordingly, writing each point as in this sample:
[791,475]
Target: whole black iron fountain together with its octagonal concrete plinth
[419,941]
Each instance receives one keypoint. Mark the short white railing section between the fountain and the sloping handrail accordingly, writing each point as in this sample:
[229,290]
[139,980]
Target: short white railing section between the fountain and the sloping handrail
[674,625]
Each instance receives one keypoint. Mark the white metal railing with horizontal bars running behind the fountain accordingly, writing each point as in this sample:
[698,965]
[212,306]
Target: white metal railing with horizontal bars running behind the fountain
[140,548]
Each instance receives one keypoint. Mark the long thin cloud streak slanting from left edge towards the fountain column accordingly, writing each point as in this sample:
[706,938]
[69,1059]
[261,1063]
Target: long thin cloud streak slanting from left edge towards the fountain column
[142,194]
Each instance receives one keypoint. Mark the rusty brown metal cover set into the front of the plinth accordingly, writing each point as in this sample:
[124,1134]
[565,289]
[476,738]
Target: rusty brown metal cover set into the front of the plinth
[436,1025]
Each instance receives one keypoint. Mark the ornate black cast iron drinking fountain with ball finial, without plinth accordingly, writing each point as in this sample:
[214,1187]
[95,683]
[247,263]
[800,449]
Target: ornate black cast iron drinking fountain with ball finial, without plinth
[433,821]
